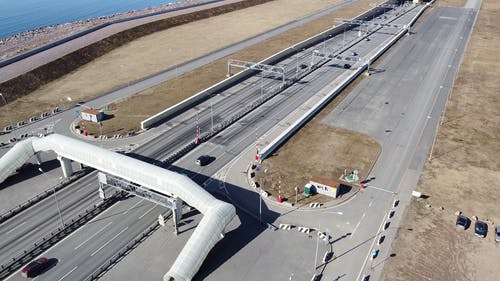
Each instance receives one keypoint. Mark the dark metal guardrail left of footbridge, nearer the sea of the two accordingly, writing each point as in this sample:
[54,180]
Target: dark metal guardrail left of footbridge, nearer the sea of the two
[39,197]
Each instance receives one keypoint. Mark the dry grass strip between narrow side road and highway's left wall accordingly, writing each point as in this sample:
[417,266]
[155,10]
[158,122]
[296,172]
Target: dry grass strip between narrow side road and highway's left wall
[157,98]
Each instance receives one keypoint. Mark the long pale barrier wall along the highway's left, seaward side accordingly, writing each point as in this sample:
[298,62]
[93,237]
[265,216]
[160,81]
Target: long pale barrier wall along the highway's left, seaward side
[230,81]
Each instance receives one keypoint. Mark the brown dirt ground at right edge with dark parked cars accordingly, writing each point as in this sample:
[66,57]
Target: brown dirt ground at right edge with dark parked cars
[463,174]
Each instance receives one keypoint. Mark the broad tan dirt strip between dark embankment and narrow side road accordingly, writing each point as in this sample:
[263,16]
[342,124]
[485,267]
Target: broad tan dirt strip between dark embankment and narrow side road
[153,53]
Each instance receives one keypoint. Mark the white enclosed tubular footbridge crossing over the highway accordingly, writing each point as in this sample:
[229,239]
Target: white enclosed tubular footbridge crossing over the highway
[216,214]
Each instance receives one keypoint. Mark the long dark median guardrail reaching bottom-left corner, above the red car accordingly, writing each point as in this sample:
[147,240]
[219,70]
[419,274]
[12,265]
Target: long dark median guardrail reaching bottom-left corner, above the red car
[48,241]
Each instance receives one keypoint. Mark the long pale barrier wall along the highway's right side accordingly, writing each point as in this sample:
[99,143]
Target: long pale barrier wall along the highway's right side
[273,145]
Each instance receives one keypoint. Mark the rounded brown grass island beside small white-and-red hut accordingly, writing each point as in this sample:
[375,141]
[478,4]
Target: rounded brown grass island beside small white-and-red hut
[316,150]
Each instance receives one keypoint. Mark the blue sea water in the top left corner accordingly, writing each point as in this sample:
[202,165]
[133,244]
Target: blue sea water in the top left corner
[17,16]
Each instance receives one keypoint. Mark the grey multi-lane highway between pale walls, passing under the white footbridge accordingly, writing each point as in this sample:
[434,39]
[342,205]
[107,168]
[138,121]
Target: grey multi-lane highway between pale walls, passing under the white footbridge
[125,224]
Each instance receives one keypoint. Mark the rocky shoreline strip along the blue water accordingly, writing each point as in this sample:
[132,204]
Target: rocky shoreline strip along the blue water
[31,39]
